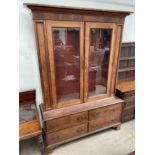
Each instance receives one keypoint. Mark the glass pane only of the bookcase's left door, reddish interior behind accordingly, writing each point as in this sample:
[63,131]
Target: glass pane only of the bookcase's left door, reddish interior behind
[67,63]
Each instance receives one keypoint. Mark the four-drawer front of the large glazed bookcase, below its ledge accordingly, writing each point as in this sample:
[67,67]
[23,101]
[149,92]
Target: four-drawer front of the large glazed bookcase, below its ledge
[64,129]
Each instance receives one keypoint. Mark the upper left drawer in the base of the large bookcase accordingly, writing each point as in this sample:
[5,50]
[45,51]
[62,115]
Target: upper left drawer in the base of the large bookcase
[66,122]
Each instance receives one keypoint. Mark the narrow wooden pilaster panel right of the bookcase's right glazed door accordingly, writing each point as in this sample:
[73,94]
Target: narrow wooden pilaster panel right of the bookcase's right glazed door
[116,57]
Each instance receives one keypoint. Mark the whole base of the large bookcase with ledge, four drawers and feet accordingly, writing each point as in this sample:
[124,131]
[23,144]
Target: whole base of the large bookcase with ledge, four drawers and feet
[61,128]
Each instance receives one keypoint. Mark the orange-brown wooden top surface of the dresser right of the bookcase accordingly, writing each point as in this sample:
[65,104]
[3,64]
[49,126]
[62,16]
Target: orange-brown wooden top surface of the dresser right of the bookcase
[126,85]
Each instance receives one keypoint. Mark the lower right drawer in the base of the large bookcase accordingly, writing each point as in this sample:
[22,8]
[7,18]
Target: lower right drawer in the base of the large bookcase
[104,122]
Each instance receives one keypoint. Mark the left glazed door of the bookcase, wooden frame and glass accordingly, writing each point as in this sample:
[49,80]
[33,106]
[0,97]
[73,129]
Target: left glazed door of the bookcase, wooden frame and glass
[65,49]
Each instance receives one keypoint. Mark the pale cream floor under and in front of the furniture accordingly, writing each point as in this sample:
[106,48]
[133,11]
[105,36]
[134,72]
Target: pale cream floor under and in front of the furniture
[110,142]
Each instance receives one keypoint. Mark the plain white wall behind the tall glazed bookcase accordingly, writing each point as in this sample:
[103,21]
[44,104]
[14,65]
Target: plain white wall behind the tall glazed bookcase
[28,63]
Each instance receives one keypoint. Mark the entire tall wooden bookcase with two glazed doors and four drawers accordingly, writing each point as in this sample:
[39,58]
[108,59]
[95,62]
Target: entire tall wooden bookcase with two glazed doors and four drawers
[78,52]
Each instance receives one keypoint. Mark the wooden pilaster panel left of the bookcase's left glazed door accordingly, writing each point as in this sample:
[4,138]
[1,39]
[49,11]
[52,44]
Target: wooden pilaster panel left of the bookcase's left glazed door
[40,36]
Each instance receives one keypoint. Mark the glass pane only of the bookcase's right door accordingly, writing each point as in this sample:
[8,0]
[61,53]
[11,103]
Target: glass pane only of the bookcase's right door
[99,50]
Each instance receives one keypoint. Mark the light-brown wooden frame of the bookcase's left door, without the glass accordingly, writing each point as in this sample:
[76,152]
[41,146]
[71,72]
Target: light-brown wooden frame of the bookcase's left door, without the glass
[49,25]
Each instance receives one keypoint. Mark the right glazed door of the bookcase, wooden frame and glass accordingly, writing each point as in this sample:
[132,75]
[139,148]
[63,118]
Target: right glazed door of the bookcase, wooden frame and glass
[99,50]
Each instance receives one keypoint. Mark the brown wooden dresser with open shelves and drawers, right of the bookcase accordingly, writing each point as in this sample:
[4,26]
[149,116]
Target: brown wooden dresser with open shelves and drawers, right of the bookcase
[125,88]
